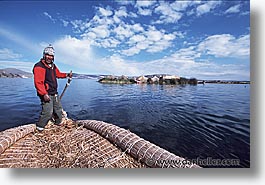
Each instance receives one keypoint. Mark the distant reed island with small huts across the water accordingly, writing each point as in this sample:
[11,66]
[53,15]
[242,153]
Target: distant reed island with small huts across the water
[149,79]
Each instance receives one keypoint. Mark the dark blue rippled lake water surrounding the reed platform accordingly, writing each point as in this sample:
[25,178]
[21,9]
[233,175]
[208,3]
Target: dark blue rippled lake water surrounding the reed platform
[211,120]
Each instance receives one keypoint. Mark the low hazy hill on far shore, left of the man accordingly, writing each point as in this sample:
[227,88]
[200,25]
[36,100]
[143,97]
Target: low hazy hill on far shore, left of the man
[14,73]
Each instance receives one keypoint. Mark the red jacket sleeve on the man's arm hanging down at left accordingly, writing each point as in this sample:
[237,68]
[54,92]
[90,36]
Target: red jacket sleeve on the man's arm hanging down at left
[39,77]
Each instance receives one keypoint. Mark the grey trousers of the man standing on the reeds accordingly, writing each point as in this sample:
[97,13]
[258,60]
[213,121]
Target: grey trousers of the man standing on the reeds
[53,107]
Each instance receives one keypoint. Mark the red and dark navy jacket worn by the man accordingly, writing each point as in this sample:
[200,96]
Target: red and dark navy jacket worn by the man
[45,78]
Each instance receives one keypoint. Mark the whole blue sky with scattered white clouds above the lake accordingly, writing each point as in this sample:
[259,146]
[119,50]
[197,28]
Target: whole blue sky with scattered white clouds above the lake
[192,39]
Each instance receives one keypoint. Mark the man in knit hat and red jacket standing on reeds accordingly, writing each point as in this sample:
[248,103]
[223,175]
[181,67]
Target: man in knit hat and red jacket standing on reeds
[45,74]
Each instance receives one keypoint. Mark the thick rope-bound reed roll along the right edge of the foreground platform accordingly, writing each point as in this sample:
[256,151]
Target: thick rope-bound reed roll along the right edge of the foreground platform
[140,149]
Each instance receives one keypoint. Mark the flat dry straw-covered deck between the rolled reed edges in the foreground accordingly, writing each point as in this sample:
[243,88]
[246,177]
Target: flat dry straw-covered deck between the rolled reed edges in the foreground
[64,147]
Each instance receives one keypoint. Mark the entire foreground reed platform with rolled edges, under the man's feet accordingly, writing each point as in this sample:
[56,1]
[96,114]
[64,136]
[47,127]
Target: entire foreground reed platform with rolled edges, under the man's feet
[82,144]
